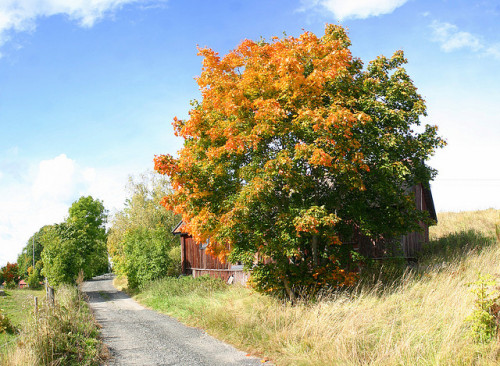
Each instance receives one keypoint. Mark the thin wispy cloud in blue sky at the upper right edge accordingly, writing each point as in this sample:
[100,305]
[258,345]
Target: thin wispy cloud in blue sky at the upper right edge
[451,38]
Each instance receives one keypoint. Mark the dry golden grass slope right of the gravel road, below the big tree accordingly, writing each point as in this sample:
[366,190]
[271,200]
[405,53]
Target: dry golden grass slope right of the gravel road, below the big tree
[415,318]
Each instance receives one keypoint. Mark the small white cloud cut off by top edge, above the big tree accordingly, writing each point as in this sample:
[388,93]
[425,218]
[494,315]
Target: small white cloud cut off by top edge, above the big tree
[356,9]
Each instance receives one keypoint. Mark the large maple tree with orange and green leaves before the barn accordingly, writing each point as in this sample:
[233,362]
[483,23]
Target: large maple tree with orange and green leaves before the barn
[293,147]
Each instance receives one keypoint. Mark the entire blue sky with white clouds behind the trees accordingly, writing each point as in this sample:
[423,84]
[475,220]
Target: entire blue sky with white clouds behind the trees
[89,88]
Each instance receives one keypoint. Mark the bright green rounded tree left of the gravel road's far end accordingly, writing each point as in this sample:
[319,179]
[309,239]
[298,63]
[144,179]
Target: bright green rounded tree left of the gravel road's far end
[78,244]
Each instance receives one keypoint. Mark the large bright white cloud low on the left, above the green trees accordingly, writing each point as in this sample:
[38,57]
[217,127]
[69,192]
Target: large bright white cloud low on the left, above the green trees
[41,195]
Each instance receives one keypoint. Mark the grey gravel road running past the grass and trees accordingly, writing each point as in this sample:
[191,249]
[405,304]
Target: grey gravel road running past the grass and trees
[138,336]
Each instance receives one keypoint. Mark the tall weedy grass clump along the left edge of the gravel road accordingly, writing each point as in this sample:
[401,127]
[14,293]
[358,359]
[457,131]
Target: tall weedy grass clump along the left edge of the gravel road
[65,334]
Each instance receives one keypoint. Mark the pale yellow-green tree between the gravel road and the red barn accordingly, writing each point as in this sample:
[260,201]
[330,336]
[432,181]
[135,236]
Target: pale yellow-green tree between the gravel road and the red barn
[140,243]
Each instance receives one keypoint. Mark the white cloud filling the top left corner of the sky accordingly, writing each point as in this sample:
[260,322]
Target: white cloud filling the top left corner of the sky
[21,15]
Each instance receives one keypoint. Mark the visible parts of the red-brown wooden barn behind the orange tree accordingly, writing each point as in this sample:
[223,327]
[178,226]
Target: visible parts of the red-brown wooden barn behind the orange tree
[196,262]
